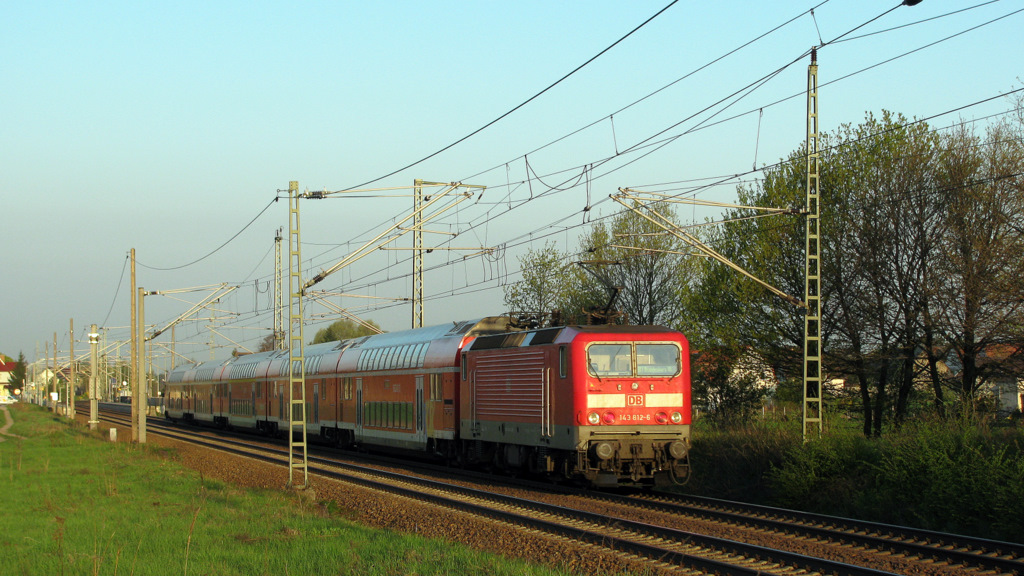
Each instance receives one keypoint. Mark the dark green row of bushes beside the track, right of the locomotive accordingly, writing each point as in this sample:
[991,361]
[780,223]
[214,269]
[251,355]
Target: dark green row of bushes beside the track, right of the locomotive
[953,476]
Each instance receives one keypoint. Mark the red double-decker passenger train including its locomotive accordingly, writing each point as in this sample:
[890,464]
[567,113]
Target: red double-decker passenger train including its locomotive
[606,406]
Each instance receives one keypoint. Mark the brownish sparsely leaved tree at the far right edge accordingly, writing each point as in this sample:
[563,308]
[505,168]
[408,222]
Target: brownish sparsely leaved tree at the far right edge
[976,289]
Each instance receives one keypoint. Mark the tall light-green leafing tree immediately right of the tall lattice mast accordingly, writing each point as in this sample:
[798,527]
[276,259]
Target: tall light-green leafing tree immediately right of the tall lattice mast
[880,236]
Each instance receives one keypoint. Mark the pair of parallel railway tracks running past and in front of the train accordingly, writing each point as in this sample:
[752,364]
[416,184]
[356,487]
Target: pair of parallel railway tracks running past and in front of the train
[662,542]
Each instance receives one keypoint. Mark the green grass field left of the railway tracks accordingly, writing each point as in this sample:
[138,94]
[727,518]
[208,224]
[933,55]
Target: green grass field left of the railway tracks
[74,505]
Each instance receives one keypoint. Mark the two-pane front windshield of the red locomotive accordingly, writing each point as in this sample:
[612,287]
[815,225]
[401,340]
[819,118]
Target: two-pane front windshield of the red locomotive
[633,360]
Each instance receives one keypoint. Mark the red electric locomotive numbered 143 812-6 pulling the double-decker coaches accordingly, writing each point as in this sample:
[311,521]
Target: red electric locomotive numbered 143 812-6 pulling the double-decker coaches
[610,405]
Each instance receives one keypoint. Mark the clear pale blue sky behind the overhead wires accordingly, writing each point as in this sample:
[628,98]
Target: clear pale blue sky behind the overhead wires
[168,129]
